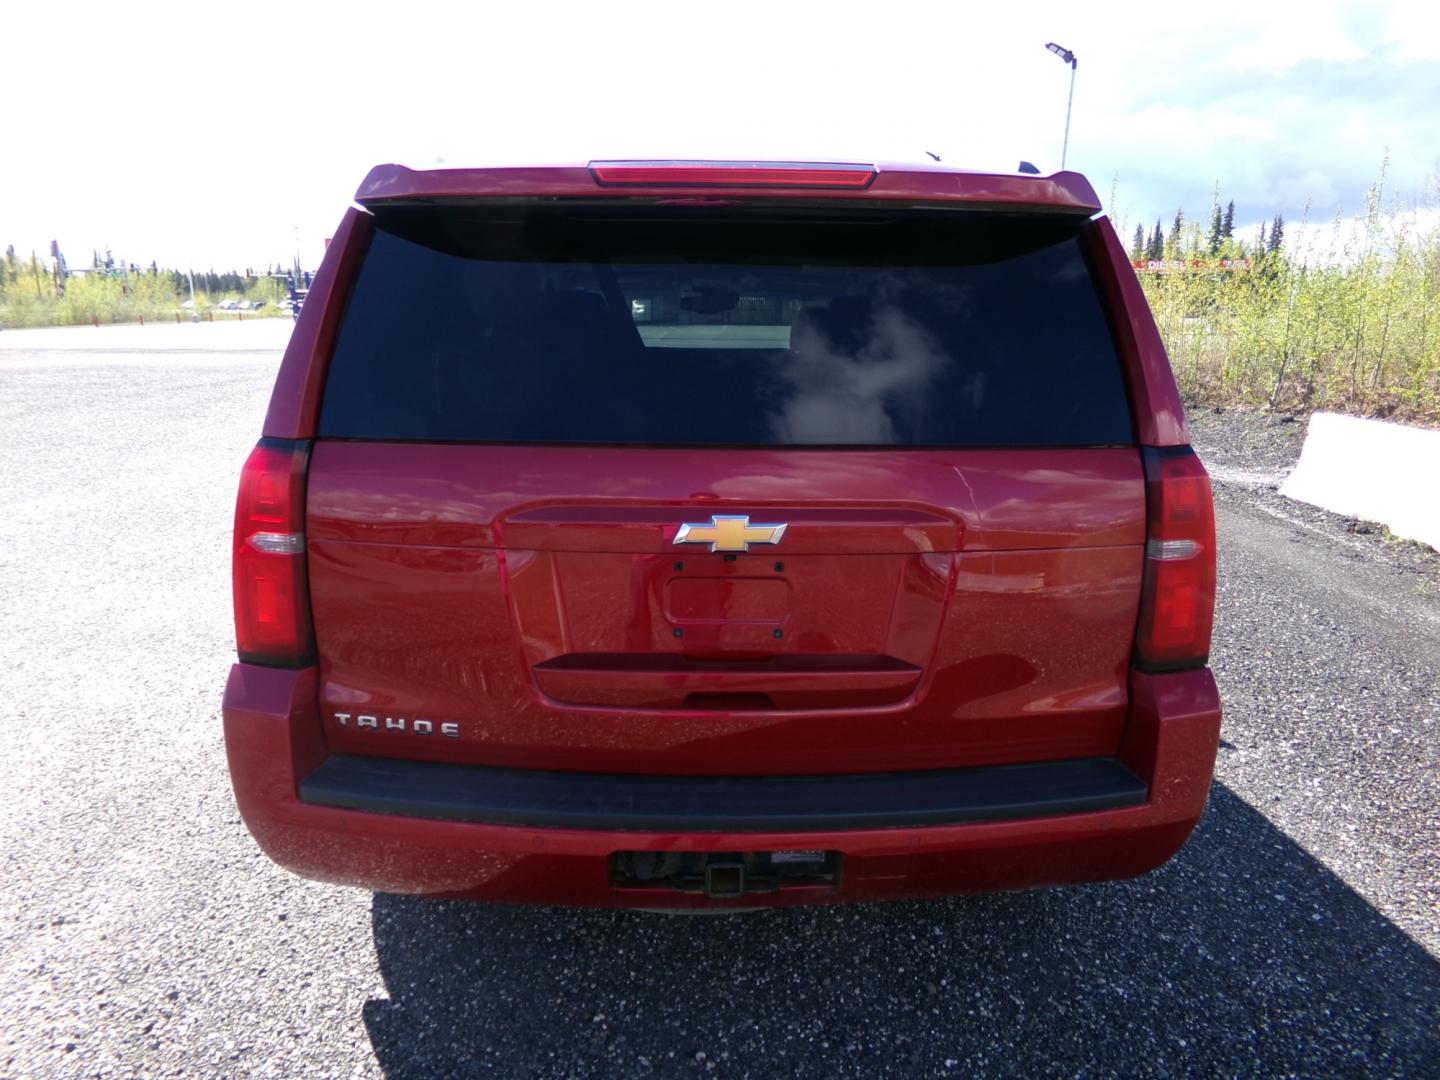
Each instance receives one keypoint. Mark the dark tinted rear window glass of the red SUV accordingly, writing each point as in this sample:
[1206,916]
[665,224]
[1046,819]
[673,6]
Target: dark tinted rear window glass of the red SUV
[673,328]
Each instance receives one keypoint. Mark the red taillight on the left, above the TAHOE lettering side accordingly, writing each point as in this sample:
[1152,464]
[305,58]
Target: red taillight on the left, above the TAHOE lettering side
[271,595]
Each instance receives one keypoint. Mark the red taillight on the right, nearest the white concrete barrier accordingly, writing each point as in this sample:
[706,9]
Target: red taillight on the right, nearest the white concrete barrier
[1179,600]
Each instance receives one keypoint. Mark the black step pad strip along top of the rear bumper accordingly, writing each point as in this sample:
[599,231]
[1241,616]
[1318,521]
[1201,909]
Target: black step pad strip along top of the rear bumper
[721,804]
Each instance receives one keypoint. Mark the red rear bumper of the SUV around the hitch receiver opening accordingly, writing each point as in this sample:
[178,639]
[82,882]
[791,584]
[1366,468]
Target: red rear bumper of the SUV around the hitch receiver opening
[277,751]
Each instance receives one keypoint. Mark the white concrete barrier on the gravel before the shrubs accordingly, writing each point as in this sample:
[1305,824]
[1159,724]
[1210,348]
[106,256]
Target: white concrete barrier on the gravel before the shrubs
[1373,470]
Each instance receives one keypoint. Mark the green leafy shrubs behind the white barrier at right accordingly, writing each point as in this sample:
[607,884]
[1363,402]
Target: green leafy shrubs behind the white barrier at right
[1349,322]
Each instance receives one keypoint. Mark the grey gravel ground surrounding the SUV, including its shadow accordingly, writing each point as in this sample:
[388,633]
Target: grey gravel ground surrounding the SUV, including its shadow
[142,932]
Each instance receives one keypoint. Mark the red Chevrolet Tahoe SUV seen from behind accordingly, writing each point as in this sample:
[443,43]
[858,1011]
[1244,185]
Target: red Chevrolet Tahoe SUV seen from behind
[701,535]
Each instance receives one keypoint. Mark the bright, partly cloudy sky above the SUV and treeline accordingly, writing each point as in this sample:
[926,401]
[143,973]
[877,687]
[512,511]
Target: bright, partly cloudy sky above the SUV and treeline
[228,136]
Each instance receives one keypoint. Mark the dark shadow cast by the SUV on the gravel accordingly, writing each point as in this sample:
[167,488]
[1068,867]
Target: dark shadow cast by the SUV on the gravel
[1243,955]
